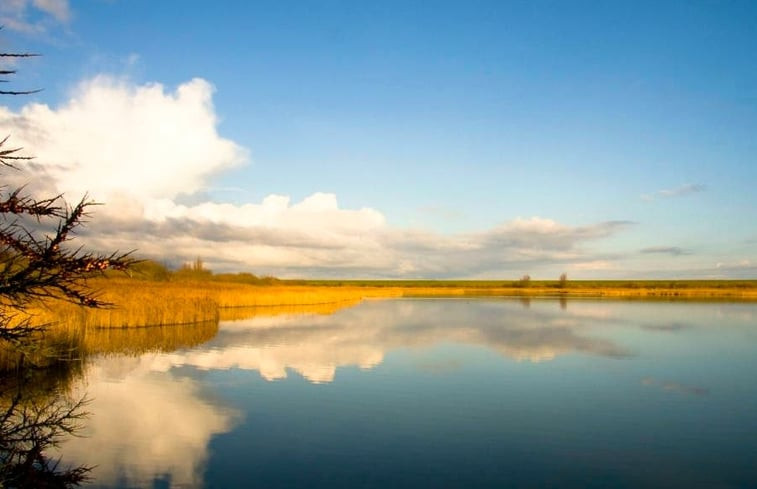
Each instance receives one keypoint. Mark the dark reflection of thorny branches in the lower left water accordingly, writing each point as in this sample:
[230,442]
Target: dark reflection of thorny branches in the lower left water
[32,422]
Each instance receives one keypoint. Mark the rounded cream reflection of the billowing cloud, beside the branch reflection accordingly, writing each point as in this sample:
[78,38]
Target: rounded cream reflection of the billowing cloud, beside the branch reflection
[159,423]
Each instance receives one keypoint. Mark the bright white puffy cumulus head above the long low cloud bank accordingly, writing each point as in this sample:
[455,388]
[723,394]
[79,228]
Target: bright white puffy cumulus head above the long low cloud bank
[115,139]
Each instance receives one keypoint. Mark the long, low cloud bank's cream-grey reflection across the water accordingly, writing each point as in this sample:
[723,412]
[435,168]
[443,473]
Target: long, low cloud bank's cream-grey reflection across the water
[315,345]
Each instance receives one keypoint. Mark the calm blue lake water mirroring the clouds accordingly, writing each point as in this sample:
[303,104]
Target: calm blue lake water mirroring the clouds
[437,393]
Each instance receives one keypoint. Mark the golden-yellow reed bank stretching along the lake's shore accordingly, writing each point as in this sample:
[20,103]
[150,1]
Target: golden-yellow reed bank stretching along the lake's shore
[148,303]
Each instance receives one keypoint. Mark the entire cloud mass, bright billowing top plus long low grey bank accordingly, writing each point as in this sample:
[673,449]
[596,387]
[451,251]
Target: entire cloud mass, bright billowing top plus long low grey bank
[141,149]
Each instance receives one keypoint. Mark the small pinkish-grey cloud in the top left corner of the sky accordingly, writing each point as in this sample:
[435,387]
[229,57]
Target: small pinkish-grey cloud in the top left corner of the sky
[33,16]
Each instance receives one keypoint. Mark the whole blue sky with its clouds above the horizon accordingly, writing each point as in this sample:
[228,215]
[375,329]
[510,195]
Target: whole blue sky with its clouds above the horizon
[398,139]
